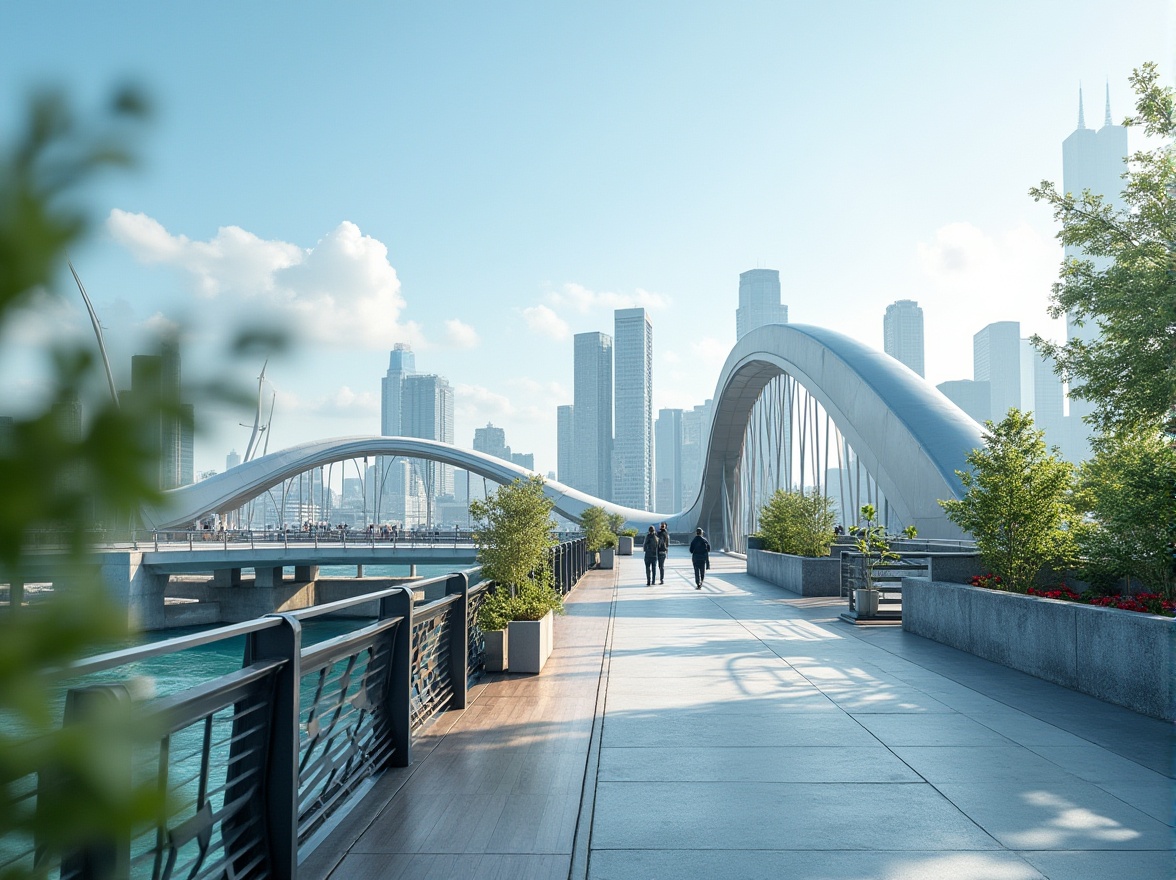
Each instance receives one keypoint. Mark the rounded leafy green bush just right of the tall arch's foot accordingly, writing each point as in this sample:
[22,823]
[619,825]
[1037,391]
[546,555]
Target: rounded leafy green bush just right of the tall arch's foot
[1019,503]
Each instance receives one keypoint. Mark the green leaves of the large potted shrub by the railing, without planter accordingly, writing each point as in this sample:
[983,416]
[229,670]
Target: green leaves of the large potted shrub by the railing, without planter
[514,537]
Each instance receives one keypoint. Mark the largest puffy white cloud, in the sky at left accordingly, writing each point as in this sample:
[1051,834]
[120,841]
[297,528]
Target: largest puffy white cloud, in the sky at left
[340,294]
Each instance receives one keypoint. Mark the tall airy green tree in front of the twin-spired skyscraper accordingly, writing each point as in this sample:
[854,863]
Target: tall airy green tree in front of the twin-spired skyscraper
[1130,372]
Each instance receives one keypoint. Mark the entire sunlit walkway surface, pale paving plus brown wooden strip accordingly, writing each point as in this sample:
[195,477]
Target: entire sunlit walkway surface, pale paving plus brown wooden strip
[739,732]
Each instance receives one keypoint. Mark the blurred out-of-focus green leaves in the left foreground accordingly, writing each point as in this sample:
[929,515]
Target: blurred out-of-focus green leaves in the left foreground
[54,482]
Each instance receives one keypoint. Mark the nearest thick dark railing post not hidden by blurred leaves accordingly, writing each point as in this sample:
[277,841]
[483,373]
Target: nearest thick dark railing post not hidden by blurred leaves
[280,792]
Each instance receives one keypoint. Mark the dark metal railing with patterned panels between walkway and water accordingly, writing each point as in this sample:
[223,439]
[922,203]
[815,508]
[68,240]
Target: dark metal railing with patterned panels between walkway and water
[256,762]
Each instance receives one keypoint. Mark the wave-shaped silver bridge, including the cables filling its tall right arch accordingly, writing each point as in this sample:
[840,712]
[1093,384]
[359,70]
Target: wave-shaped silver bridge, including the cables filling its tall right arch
[894,439]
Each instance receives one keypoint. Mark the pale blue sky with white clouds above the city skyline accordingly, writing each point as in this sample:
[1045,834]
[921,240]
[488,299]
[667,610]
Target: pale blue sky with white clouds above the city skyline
[482,181]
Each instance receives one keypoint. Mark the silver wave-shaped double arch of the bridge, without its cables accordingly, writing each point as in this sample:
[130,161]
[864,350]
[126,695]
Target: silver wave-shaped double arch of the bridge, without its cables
[907,435]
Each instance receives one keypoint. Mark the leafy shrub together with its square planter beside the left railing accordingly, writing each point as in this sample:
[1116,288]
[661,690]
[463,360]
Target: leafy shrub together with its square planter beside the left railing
[514,536]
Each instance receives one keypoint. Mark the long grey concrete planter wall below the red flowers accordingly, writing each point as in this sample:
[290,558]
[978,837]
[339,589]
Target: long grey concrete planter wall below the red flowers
[1121,657]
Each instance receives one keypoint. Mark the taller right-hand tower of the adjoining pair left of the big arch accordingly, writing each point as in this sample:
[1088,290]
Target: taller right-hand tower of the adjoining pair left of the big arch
[633,450]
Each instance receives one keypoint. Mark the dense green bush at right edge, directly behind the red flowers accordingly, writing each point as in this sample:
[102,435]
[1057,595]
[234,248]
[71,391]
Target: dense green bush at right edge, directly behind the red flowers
[1130,491]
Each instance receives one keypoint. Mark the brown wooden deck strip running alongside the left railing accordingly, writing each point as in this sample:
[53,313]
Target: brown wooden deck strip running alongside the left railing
[496,790]
